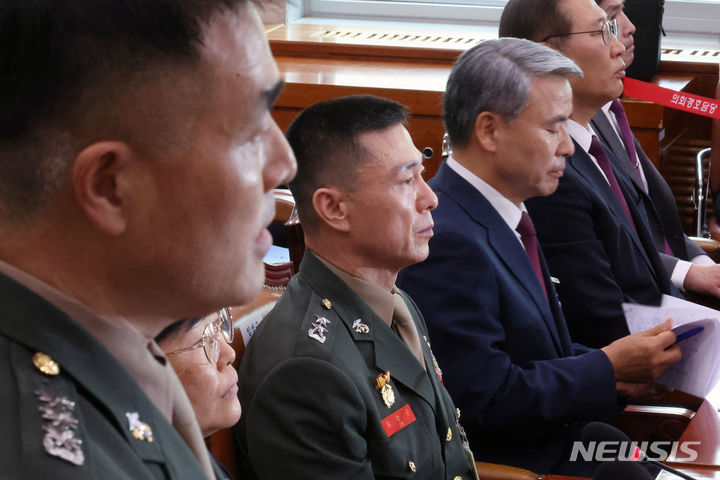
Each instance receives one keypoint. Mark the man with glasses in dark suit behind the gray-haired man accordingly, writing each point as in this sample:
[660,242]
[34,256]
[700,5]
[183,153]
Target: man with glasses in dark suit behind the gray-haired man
[594,229]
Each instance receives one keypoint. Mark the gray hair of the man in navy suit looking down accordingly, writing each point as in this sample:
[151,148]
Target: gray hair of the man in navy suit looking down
[495,76]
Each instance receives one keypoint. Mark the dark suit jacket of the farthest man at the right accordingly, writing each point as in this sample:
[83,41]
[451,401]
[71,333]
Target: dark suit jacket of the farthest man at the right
[659,200]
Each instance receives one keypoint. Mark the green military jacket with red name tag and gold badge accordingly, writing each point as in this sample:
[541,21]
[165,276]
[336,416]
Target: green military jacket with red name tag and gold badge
[311,406]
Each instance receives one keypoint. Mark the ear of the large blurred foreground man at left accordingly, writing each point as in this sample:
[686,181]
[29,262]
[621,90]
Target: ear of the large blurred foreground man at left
[95,182]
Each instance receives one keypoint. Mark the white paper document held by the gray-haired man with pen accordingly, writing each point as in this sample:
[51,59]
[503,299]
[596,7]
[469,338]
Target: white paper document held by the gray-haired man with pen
[698,332]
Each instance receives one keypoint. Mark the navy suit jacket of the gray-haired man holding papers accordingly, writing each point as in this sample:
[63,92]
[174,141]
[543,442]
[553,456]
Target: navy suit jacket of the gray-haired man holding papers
[524,389]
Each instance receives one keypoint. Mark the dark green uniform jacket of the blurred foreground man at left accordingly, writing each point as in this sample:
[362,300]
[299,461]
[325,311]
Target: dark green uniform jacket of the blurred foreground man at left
[74,423]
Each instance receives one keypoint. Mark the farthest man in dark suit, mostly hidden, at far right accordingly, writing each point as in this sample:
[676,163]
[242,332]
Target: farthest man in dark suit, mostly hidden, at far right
[687,264]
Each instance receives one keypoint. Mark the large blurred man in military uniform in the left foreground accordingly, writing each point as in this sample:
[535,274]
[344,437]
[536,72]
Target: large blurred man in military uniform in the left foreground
[137,158]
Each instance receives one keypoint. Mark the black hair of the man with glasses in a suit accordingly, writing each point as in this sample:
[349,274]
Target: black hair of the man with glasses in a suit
[535,20]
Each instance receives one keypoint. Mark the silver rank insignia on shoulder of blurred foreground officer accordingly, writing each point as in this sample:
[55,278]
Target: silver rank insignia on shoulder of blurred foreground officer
[60,428]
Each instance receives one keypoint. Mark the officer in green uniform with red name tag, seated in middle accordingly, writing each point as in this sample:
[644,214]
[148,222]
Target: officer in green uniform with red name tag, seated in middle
[338,381]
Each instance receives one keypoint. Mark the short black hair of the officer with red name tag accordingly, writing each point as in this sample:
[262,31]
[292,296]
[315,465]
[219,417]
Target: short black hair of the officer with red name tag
[324,140]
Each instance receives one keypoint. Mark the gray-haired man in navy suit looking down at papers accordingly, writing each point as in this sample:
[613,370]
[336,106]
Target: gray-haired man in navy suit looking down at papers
[524,388]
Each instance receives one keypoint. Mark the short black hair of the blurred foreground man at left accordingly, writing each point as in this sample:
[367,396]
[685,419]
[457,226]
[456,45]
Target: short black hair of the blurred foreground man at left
[52,53]
